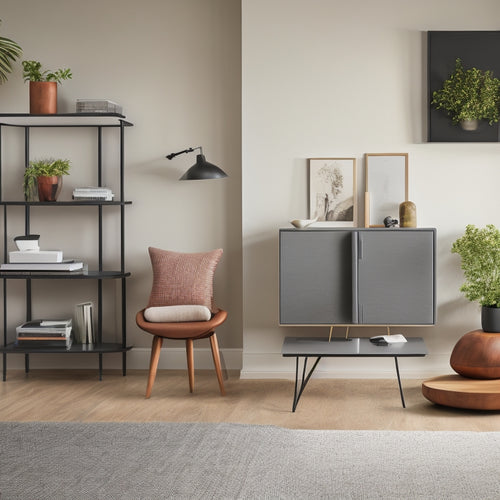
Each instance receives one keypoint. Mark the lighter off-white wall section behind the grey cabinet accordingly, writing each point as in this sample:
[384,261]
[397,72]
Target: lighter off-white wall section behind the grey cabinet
[340,78]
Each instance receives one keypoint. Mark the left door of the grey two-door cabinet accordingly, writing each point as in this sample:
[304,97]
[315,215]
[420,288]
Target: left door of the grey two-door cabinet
[316,277]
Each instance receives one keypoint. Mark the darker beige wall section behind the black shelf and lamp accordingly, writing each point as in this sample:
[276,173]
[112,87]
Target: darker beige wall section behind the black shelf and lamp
[175,68]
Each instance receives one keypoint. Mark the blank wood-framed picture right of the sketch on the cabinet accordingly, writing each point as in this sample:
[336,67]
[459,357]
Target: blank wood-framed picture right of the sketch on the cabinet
[386,177]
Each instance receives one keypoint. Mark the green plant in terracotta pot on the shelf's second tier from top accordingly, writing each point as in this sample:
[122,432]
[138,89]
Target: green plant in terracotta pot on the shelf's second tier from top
[45,177]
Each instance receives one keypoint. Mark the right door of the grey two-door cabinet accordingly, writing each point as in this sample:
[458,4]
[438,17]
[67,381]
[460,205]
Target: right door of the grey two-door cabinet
[396,277]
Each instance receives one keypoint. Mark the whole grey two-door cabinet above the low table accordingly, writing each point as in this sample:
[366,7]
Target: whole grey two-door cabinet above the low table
[357,276]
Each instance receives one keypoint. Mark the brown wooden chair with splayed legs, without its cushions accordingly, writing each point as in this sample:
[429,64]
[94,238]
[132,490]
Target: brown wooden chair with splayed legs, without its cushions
[188,331]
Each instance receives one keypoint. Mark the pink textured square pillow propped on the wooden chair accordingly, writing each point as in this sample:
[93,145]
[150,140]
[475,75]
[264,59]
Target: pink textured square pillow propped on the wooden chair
[183,278]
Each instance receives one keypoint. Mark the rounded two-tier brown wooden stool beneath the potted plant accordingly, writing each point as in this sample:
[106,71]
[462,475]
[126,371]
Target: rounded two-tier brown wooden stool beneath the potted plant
[476,358]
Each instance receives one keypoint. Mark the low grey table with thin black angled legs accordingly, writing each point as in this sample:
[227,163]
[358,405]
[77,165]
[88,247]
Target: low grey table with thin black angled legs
[322,347]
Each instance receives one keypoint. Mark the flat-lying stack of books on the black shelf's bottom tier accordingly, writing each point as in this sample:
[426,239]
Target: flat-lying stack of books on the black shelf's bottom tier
[44,333]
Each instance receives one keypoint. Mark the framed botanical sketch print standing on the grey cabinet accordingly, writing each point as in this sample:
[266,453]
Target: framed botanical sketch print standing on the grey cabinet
[332,191]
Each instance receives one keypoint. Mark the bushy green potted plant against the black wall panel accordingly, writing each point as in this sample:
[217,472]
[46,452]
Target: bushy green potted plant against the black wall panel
[469,96]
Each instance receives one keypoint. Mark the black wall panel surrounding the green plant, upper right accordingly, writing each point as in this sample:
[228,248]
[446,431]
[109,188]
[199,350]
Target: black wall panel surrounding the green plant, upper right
[480,49]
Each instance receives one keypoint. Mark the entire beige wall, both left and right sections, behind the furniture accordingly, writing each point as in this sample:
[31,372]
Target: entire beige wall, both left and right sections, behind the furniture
[317,78]
